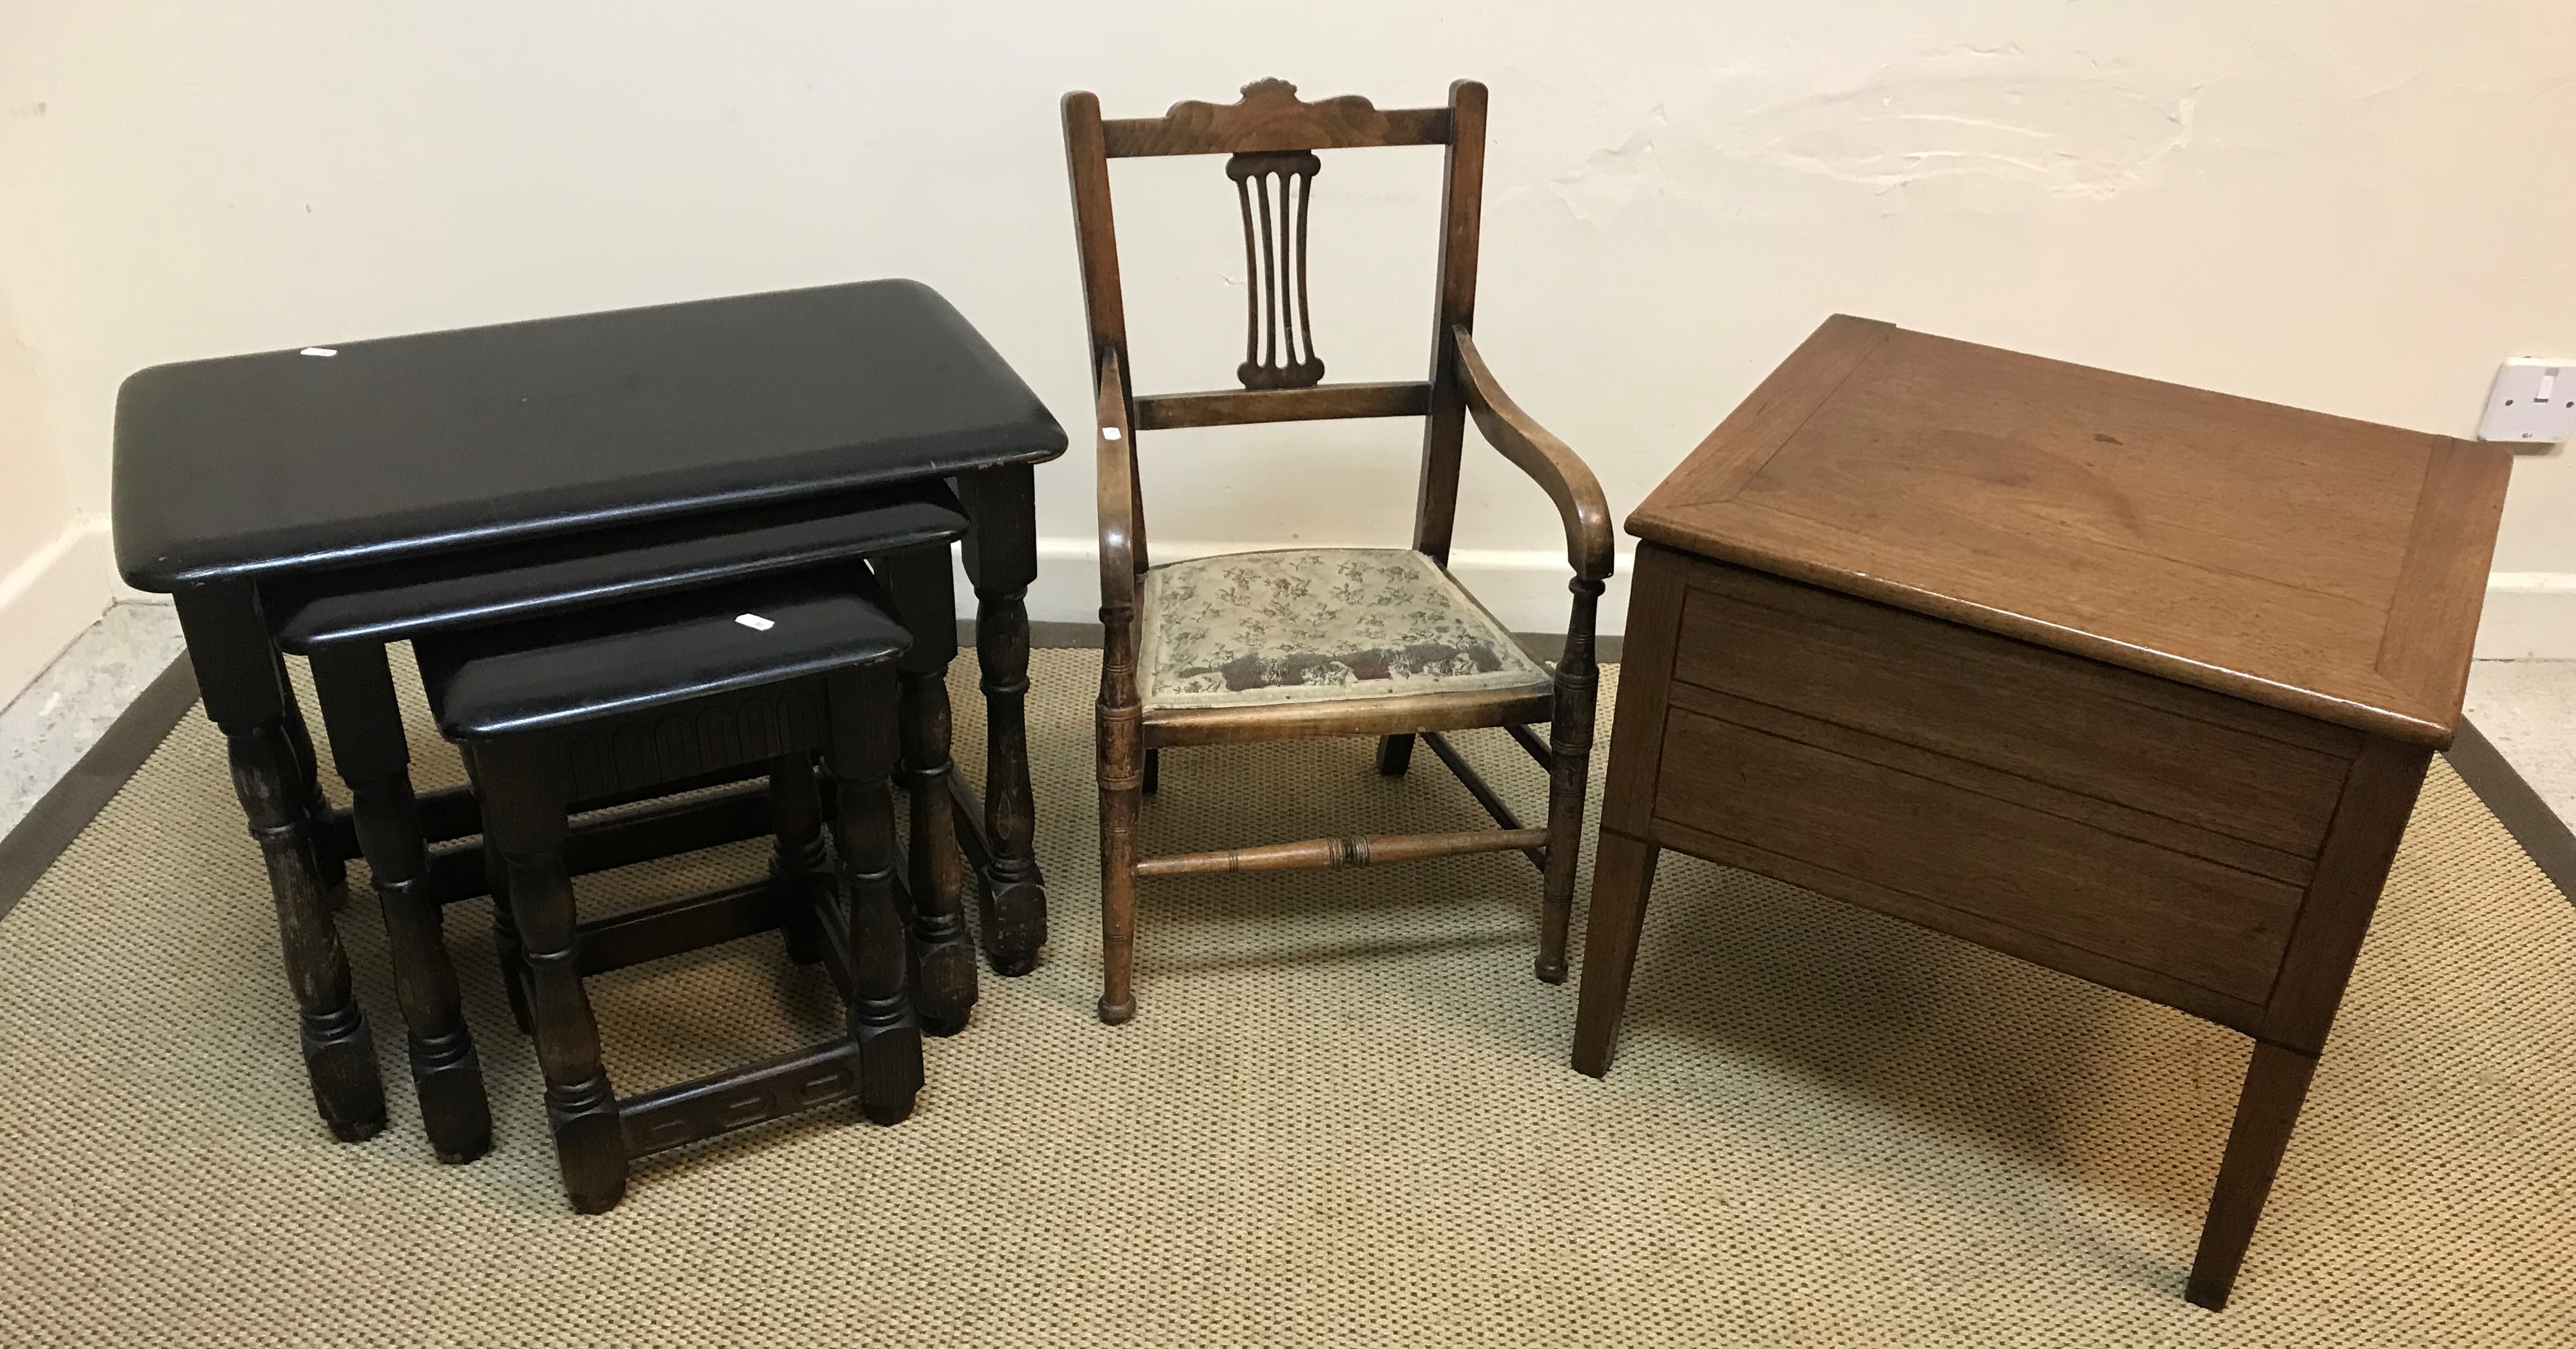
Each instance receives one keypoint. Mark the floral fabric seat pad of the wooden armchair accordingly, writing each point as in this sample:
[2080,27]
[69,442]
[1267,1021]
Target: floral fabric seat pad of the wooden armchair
[1315,624]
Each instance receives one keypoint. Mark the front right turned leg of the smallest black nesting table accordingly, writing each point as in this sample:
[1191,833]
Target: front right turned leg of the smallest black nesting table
[882,1021]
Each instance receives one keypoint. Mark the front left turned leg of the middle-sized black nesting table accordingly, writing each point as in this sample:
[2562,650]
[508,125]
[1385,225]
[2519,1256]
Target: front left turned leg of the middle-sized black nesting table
[367,743]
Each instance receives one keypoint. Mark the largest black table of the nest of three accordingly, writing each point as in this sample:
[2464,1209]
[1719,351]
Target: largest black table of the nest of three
[259,475]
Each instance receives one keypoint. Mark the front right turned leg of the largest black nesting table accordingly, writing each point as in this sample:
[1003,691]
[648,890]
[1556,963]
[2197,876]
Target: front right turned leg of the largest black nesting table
[1001,563]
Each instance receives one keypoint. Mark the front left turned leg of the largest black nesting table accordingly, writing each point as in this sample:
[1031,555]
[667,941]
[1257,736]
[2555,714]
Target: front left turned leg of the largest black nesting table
[236,671]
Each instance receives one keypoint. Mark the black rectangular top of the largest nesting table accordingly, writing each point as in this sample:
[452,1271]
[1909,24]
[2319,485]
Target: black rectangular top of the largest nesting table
[277,462]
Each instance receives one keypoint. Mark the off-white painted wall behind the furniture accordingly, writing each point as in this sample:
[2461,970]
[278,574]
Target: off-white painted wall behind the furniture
[2340,207]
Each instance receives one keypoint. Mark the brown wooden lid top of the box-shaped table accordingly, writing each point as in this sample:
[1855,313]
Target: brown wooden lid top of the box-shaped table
[2286,557]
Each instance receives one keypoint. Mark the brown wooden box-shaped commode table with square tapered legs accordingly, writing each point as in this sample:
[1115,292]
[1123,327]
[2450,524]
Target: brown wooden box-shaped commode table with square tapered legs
[2124,678]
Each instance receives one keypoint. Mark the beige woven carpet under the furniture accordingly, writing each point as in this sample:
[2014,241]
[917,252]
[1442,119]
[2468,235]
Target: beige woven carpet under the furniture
[1341,1119]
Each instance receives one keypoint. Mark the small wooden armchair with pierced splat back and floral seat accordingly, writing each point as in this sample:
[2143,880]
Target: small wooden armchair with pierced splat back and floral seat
[1320,642]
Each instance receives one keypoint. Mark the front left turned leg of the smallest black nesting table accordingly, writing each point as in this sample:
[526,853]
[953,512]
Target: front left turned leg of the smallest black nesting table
[524,815]
